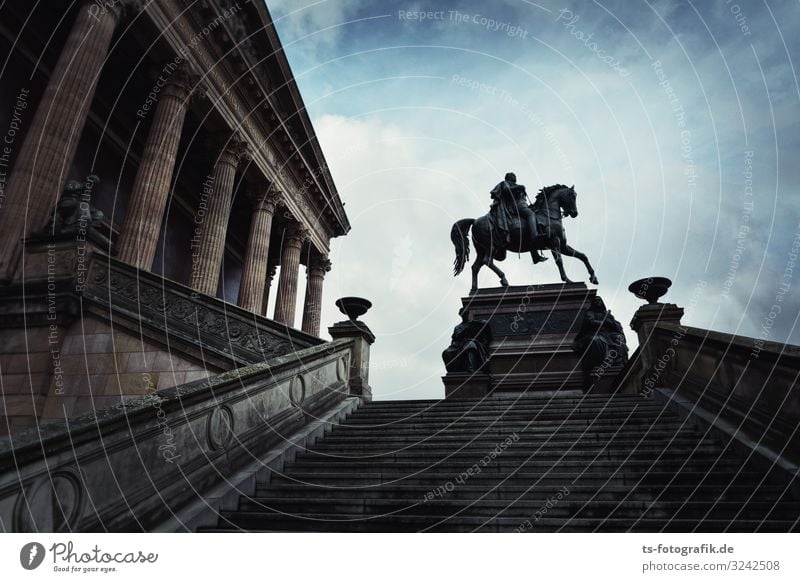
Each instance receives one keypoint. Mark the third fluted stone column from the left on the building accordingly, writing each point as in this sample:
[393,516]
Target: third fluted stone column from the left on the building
[212,223]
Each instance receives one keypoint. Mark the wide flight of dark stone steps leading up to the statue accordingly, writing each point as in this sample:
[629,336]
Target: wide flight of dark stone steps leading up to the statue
[566,463]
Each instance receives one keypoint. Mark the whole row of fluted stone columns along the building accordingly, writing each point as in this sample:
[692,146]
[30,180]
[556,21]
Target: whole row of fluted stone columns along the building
[49,149]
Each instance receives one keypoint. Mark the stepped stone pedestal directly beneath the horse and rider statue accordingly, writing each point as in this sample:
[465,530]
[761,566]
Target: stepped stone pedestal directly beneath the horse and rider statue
[532,331]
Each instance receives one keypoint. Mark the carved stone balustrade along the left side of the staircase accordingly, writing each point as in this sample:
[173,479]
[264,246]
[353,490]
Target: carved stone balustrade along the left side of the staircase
[130,467]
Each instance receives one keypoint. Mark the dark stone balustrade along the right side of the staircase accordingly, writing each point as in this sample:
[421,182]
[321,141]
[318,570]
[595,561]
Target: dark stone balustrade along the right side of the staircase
[750,383]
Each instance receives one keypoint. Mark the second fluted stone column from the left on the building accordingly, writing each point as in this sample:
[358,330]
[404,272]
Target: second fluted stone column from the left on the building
[140,231]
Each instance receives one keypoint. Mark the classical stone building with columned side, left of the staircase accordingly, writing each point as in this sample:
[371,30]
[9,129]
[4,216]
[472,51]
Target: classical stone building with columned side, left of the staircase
[158,175]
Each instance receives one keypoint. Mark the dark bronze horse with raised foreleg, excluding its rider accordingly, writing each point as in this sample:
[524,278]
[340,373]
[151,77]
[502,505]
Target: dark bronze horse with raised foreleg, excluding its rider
[551,203]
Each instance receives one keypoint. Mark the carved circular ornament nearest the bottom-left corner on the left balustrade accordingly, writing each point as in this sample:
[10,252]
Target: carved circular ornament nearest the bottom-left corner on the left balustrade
[52,503]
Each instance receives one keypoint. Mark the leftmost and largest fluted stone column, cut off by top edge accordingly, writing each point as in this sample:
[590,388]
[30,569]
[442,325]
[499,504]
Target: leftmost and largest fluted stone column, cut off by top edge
[45,156]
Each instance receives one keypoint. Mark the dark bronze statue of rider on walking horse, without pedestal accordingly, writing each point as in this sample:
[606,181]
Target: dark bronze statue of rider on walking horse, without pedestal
[513,224]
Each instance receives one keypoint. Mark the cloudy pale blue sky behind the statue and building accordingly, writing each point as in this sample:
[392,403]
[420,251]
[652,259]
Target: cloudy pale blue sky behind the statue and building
[676,121]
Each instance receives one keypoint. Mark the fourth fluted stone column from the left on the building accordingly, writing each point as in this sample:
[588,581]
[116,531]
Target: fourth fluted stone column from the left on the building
[251,291]
